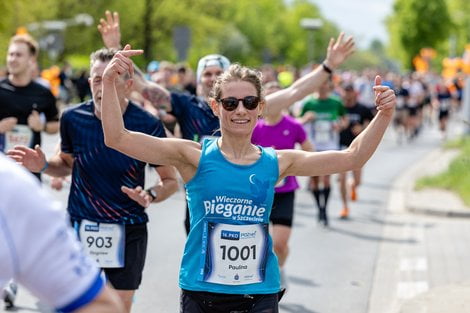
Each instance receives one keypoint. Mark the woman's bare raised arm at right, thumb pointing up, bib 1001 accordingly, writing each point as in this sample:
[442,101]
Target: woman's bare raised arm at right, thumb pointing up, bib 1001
[300,163]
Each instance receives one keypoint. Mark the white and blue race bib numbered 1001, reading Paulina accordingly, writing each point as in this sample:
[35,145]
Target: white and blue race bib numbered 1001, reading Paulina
[234,254]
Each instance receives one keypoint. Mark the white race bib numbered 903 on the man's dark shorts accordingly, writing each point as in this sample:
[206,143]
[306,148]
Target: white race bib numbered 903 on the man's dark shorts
[104,243]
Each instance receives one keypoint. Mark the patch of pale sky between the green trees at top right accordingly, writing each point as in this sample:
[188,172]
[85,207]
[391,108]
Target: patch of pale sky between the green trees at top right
[364,19]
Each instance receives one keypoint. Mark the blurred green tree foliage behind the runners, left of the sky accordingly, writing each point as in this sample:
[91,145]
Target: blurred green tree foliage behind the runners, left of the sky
[247,31]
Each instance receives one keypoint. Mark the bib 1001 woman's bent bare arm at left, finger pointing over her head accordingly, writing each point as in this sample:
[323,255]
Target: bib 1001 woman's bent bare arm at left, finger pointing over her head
[183,154]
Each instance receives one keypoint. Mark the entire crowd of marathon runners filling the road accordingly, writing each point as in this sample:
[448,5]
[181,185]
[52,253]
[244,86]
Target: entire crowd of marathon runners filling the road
[237,137]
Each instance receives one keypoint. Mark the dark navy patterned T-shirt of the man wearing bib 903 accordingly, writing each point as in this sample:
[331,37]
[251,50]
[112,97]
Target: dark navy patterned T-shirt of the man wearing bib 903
[99,172]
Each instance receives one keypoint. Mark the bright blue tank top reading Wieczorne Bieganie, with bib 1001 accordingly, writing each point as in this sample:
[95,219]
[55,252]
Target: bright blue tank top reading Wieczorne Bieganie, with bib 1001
[229,249]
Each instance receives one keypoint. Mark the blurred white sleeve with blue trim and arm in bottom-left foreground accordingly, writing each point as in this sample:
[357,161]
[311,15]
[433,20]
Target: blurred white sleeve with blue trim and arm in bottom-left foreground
[40,251]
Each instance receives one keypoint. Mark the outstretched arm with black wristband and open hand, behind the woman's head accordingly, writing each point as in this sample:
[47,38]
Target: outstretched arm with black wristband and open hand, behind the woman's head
[337,51]
